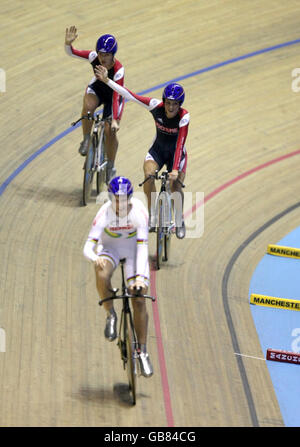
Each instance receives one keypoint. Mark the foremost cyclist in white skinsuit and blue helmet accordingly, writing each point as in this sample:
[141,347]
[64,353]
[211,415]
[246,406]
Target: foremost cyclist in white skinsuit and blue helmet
[120,230]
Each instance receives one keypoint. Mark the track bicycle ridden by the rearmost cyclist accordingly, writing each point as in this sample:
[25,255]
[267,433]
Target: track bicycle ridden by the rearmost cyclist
[96,159]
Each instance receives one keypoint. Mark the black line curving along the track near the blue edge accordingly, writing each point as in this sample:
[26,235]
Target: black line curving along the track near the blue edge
[230,324]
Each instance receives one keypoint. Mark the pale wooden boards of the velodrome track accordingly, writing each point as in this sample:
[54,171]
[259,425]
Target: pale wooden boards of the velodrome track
[57,369]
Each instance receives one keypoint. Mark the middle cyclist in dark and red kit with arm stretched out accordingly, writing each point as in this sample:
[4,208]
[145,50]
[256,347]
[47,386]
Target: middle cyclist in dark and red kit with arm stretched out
[168,148]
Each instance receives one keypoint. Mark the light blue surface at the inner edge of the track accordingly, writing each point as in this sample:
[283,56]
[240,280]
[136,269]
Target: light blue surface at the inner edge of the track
[280,328]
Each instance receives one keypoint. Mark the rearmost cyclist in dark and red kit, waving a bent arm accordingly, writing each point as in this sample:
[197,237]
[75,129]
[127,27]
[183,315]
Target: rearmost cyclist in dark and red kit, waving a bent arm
[97,93]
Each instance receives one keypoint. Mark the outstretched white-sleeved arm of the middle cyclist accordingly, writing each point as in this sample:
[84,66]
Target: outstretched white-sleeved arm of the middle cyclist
[148,103]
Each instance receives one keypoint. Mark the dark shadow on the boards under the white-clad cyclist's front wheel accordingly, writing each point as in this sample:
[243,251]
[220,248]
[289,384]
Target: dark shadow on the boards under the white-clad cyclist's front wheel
[119,393]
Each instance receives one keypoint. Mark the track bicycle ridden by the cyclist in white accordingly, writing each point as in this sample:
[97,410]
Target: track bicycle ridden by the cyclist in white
[127,339]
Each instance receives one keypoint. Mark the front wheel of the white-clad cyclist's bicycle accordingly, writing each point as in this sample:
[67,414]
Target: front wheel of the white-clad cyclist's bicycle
[131,360]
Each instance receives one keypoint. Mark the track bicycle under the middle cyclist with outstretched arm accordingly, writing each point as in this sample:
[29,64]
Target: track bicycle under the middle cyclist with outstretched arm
[164,216]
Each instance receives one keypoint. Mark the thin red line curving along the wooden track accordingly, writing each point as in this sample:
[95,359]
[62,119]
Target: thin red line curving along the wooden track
[161,356]
